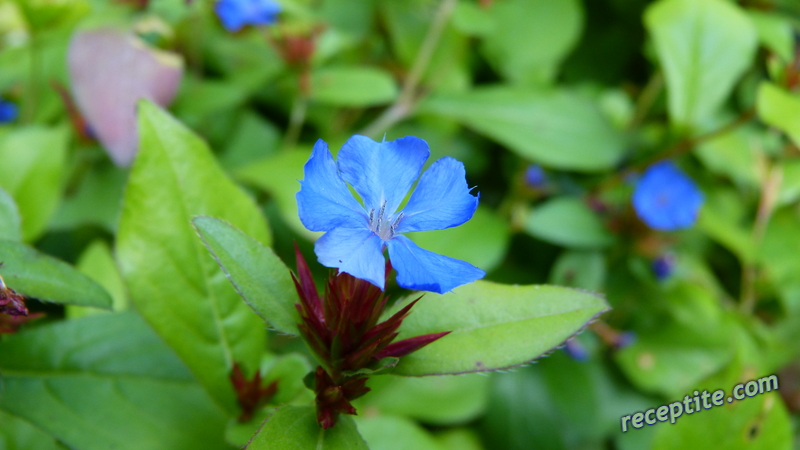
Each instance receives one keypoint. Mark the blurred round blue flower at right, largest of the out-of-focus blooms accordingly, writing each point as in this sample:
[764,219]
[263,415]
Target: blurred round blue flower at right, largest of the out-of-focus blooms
[666,199]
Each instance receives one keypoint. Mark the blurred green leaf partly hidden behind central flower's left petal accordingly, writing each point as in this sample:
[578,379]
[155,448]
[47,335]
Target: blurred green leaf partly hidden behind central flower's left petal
[279,174]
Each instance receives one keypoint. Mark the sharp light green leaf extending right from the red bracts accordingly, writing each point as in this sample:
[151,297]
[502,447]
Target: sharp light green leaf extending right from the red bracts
[493,326]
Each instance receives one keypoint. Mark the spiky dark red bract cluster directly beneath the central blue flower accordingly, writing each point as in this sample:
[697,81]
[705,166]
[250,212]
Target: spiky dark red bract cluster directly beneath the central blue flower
[342,330]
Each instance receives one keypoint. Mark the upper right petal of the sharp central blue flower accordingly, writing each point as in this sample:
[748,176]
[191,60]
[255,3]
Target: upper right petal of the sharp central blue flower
[441,199]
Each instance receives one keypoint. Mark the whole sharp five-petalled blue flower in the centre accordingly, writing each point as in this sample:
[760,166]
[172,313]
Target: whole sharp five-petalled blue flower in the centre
[357,232]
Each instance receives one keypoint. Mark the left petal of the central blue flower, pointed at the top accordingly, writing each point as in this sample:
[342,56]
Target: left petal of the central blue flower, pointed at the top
[324,201]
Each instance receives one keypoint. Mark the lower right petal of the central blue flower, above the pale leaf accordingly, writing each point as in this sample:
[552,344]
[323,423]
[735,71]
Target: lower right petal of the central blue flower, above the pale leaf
[423,270]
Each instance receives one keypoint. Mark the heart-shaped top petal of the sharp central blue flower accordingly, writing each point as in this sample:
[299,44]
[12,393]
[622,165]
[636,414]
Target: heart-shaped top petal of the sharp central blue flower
[382,170]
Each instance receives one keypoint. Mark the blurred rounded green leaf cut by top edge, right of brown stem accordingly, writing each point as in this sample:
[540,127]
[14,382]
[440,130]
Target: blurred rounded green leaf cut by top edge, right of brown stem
[530,38]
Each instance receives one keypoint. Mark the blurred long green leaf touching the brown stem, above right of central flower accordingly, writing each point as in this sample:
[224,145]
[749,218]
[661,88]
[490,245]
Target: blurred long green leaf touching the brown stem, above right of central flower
[556,128]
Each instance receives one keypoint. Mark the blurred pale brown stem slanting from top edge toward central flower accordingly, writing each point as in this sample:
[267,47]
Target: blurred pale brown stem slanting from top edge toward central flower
[408,97]
